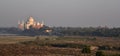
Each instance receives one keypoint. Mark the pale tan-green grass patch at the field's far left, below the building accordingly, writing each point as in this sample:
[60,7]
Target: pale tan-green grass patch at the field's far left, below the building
[14,39]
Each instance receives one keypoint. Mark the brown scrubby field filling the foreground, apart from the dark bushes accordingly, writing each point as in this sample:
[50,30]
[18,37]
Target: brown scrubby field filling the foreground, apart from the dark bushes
[42,45]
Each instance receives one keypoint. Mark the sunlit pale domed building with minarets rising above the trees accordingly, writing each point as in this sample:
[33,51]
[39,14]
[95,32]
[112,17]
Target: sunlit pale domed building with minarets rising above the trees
[30,23]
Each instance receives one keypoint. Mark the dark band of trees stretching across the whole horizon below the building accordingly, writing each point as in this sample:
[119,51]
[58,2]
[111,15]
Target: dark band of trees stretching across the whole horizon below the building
[66,31]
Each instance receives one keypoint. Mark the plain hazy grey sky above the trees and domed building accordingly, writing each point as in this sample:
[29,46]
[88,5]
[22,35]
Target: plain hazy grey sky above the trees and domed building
[75,13]
